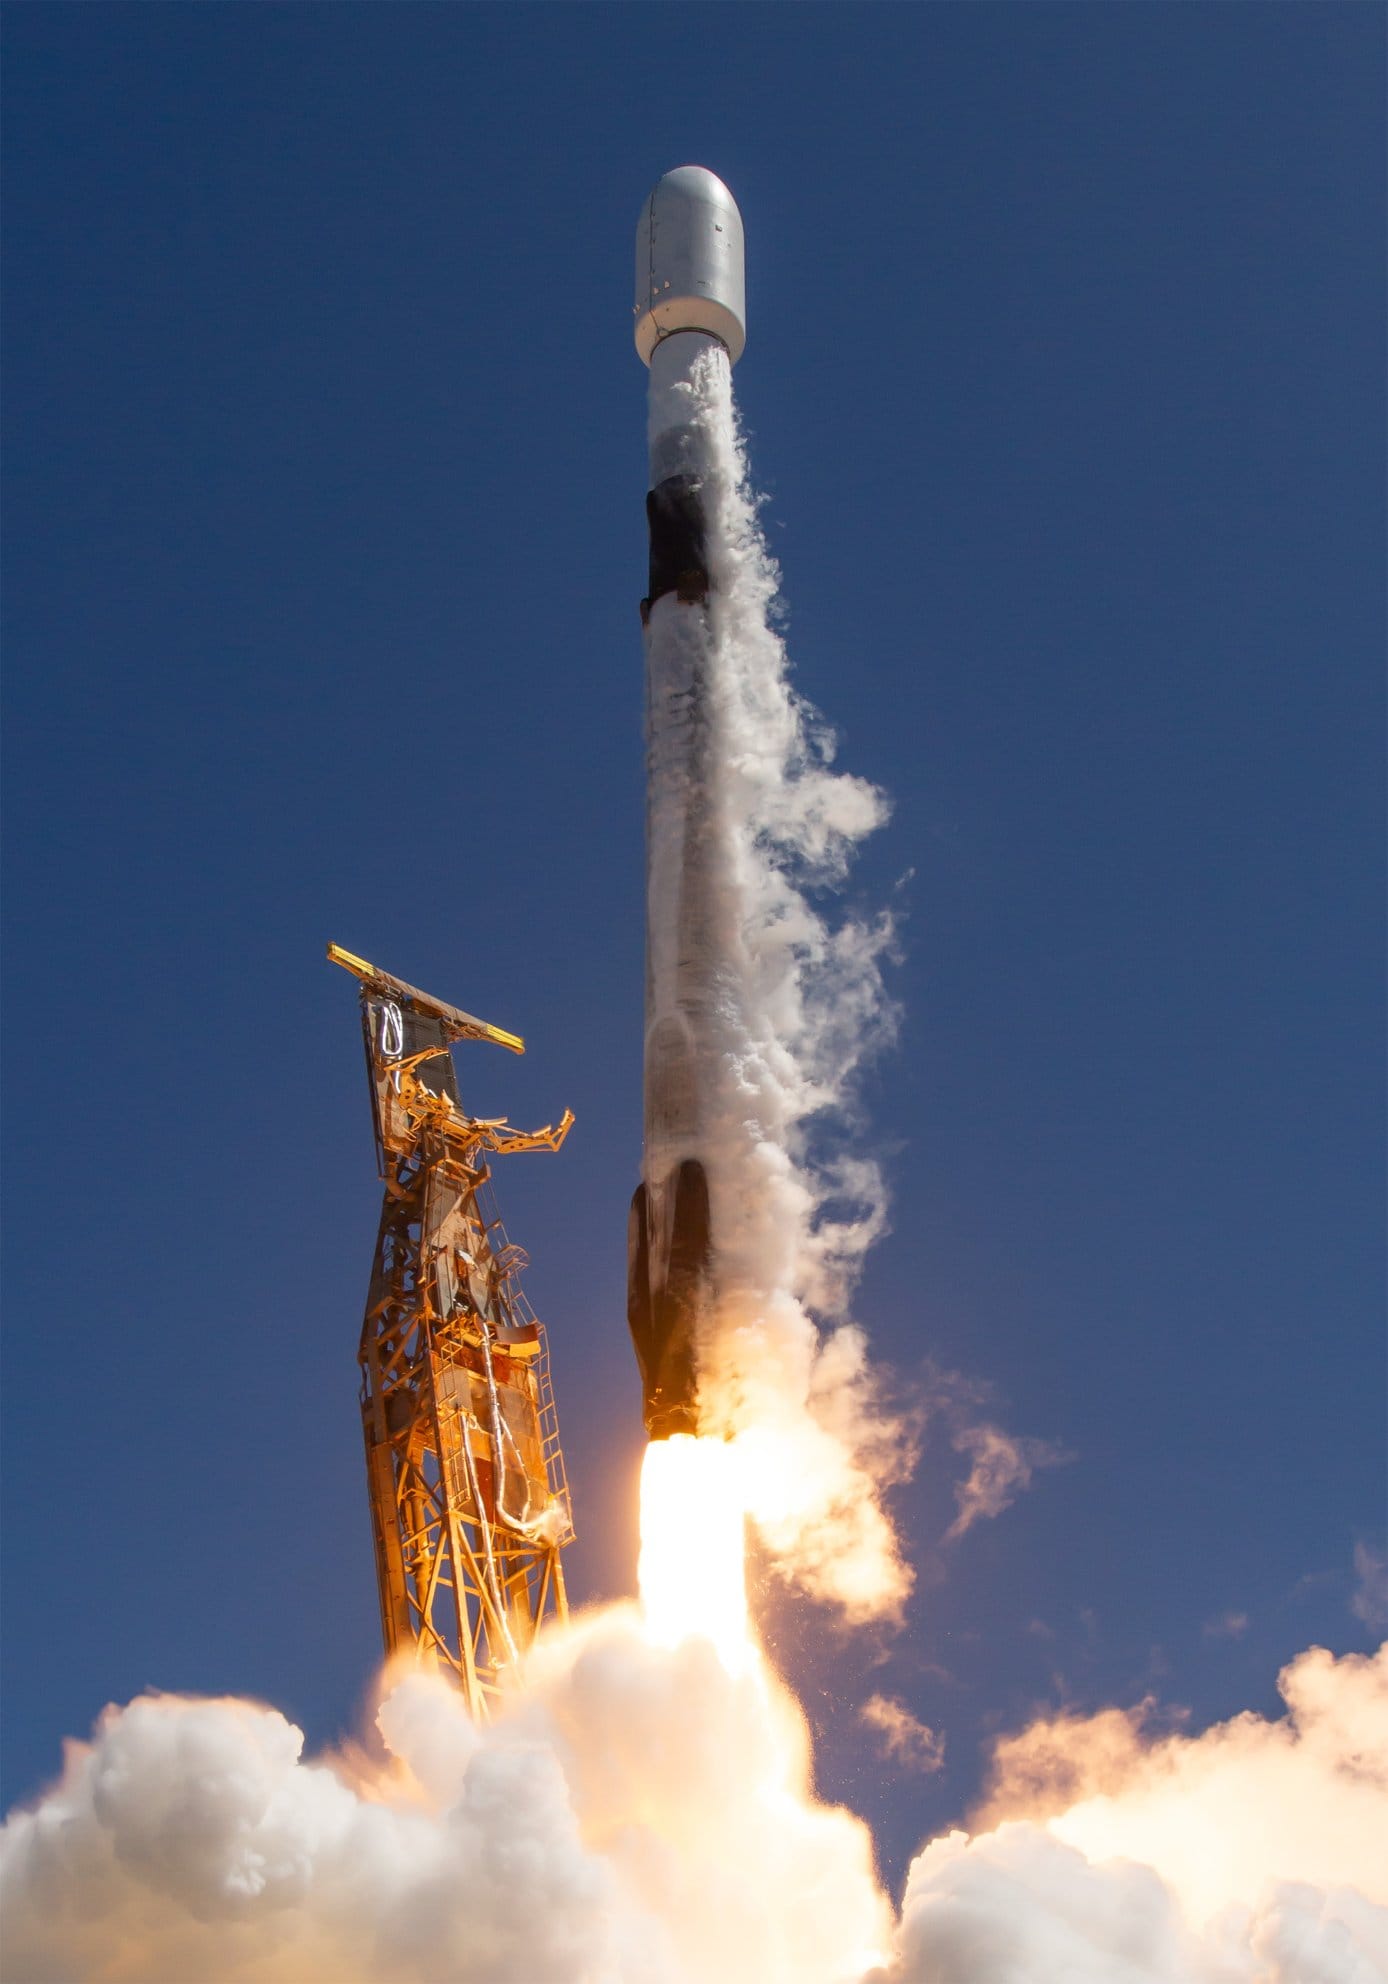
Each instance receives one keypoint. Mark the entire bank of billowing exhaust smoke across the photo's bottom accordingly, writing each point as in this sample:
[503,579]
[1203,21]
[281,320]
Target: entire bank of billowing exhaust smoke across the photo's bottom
[639,1816]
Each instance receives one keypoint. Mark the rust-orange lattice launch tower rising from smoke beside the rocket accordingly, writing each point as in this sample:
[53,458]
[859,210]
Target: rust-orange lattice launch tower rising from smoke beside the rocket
[469,1497]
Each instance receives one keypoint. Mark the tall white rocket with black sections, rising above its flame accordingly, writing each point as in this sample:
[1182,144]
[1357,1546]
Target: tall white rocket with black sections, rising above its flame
[691,297]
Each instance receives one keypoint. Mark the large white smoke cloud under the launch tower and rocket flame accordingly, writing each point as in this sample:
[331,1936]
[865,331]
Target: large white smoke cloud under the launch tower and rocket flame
[634,1818]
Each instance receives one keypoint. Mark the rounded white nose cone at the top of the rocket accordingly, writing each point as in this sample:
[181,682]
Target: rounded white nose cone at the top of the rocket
[689,263]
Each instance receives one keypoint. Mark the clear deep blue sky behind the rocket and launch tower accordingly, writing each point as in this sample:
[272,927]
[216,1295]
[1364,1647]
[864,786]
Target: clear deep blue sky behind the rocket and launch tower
[326,469]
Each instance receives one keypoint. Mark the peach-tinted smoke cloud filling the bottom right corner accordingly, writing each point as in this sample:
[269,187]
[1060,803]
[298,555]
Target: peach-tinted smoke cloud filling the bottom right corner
[1252,1854]
